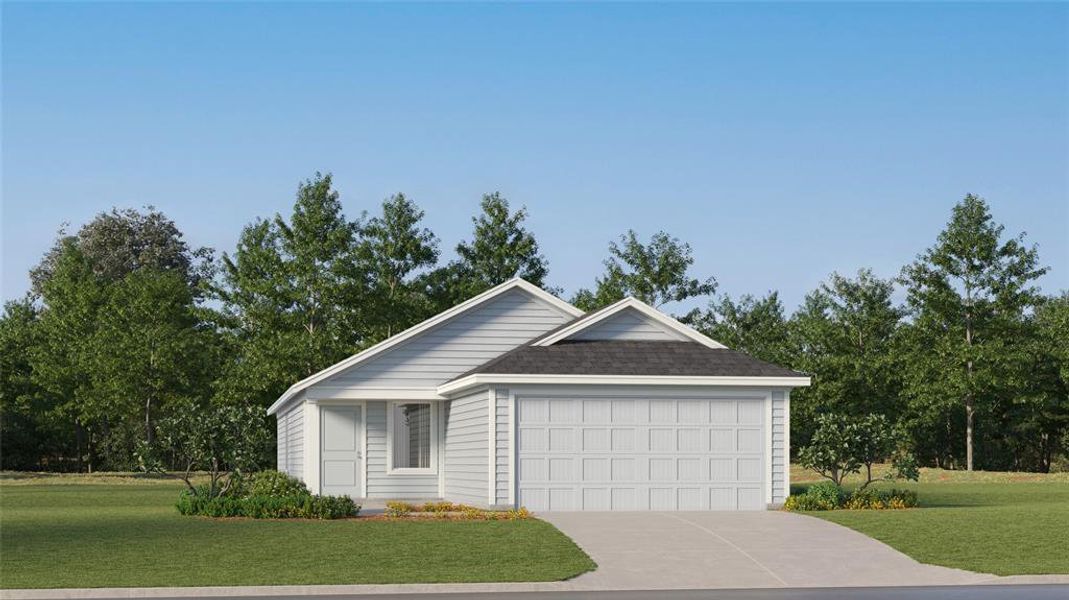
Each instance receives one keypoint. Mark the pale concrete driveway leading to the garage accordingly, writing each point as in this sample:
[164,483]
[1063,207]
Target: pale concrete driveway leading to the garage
[734,550]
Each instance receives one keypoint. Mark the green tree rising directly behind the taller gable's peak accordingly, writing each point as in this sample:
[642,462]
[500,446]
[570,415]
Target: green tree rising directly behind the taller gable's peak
[502,249]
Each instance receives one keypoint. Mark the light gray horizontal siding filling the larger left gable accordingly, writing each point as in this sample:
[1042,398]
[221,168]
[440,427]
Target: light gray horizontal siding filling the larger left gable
[456,347]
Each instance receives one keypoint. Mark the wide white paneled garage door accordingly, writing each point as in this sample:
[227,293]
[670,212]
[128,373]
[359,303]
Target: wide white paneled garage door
[641,454]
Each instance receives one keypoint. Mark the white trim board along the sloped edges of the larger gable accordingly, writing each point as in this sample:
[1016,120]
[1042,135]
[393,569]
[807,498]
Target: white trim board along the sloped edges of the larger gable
[553,301]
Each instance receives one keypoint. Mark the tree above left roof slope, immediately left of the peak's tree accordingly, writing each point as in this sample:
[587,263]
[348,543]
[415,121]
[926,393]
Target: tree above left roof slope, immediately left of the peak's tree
[395,252]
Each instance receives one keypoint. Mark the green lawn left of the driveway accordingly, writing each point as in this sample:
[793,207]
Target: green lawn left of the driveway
[73,534]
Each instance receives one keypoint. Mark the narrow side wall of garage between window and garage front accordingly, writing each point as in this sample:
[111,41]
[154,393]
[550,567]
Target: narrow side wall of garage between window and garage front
[467,442]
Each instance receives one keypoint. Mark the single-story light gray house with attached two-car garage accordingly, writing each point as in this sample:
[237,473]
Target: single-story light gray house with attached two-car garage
[518,398]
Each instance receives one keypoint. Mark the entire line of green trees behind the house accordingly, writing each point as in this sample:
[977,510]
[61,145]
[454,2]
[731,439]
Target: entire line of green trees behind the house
[126,324]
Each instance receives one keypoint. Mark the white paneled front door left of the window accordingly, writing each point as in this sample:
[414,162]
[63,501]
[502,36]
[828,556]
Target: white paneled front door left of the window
[343,451]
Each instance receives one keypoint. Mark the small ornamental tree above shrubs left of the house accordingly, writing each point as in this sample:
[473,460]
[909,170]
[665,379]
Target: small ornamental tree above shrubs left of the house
[224,440]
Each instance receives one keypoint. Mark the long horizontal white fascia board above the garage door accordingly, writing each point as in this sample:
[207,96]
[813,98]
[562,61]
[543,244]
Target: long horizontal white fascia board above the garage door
[495,379]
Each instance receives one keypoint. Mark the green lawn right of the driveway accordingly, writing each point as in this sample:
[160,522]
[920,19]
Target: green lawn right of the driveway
[1001,524]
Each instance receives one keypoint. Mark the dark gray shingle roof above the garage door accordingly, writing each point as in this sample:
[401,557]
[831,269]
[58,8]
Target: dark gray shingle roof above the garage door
[630,359]
